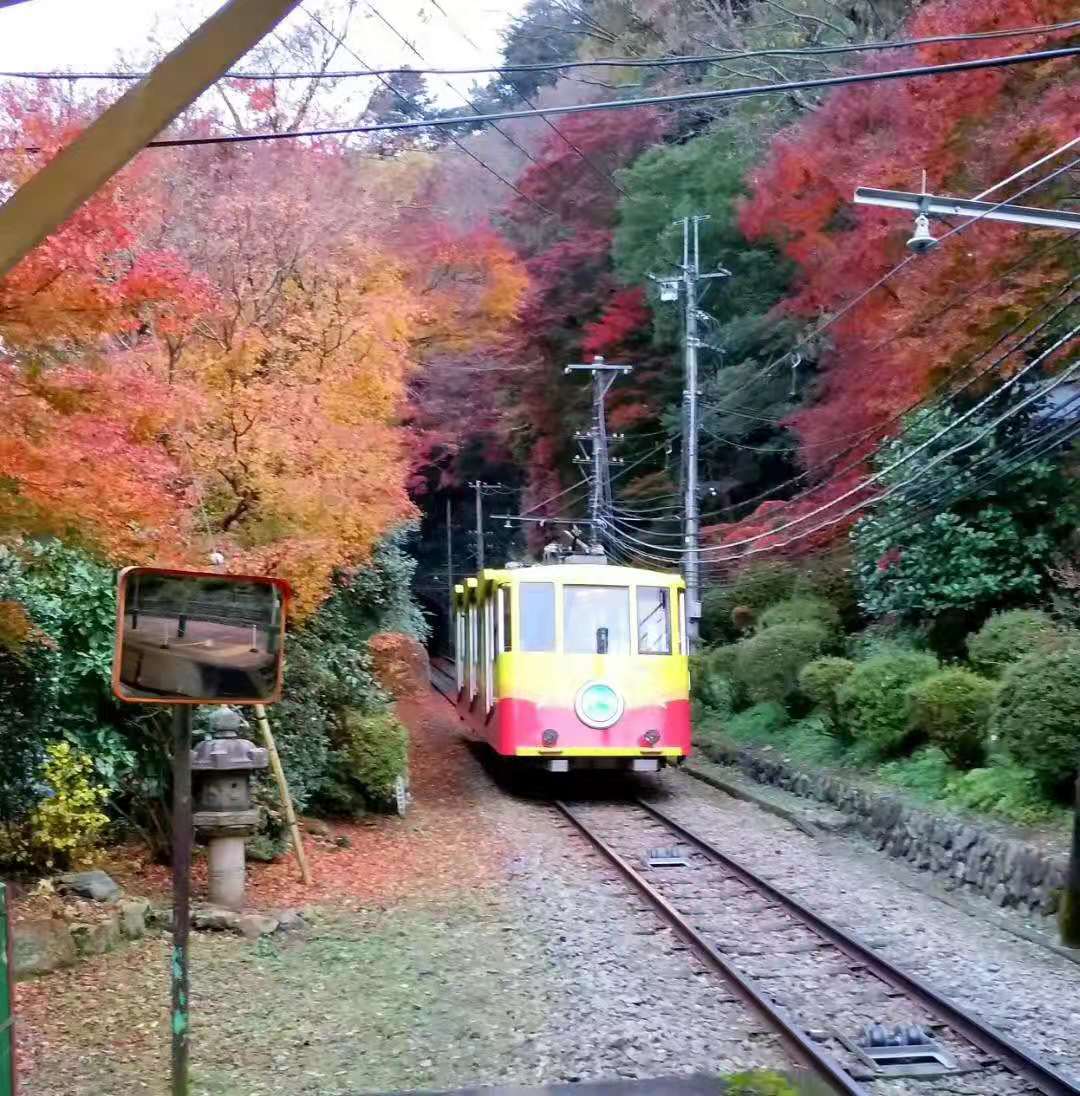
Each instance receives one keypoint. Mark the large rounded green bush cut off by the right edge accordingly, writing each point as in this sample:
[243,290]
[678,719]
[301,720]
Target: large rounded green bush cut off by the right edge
[1037,715]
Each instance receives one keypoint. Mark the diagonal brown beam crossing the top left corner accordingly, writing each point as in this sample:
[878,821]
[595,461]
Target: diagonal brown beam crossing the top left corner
[49,199]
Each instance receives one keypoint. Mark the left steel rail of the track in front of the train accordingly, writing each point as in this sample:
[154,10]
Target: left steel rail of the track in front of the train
[804,1048]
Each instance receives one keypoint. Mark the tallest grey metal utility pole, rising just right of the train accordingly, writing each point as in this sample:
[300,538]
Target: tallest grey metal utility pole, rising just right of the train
[673,289]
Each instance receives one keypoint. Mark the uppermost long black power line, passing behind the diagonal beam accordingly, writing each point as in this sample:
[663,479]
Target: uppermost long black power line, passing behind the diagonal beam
[690,60]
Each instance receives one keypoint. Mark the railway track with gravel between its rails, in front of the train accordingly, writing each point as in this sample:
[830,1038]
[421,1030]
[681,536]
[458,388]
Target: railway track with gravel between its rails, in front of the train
[831,997]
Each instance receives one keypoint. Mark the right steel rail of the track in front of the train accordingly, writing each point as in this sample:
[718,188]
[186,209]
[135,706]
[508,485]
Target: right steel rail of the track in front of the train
[1016,1058]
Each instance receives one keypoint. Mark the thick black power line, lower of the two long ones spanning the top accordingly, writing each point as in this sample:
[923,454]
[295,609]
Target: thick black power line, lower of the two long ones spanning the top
[691,97]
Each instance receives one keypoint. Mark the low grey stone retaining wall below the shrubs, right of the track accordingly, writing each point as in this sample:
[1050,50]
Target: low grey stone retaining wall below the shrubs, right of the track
[1009,873]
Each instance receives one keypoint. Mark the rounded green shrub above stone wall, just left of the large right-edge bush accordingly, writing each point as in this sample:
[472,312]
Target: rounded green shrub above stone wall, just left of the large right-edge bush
[952,710]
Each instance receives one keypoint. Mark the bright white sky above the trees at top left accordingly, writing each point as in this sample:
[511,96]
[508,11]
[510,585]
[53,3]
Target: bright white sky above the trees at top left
[92,36]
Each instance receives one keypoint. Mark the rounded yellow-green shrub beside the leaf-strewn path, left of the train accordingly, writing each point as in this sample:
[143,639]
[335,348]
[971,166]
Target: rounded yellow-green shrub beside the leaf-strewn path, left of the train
[371,751]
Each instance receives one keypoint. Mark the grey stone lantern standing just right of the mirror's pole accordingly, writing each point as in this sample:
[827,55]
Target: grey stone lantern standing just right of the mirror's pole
[224,812]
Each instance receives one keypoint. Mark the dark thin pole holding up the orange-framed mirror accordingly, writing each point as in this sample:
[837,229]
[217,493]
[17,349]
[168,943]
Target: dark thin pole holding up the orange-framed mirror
[183,841]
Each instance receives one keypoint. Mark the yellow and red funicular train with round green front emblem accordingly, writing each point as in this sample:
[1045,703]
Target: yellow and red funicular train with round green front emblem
[575,665]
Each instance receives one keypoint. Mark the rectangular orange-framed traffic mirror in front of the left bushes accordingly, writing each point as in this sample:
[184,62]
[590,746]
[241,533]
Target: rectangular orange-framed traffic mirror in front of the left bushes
[194,637]
